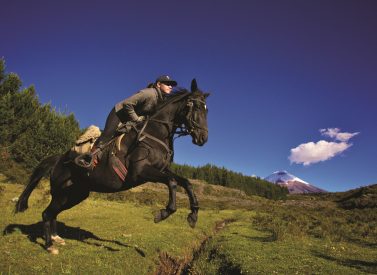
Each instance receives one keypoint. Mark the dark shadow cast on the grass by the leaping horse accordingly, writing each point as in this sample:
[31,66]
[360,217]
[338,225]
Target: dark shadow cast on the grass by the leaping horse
[34,231]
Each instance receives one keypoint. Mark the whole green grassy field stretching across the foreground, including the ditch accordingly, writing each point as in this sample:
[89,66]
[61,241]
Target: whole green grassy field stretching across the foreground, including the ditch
[235,234]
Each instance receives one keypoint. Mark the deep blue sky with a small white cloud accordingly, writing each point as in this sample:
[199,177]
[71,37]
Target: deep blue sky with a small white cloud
[293,83]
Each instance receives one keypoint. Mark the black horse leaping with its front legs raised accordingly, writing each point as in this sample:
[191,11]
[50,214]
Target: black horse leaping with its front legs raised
[146,151]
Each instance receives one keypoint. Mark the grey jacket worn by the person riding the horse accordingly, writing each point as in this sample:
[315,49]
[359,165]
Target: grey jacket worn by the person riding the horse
[142,103]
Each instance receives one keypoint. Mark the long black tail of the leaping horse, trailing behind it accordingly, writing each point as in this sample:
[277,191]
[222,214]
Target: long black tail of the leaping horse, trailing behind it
[43,168]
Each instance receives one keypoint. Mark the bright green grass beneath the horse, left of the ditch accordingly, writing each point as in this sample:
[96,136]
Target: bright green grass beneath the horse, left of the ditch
[102,236]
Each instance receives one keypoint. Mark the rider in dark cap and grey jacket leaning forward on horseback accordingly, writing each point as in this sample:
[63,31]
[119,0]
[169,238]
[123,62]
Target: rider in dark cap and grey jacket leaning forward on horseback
[134,109]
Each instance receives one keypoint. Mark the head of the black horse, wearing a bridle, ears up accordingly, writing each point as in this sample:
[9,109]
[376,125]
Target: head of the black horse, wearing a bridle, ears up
[196,116]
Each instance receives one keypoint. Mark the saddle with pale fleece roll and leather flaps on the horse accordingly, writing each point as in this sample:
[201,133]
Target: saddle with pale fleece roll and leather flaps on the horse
[84,147]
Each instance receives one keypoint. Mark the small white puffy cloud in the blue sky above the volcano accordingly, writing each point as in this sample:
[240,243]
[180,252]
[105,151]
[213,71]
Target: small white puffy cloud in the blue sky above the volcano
[311,152]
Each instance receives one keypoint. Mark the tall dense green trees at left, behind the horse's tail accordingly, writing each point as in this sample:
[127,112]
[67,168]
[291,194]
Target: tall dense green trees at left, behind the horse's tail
[29,130]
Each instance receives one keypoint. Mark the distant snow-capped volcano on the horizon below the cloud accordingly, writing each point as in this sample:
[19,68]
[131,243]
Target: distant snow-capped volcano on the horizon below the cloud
[294,184]
